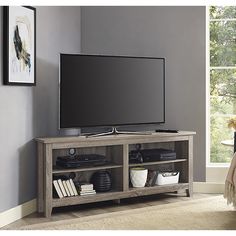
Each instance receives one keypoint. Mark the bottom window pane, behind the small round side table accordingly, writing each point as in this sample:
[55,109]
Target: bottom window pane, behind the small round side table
[220,132]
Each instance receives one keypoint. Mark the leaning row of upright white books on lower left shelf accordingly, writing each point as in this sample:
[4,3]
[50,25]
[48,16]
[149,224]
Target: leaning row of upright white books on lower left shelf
[65,188]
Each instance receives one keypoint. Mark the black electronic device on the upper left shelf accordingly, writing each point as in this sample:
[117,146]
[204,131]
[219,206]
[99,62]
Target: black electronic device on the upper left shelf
[81,160]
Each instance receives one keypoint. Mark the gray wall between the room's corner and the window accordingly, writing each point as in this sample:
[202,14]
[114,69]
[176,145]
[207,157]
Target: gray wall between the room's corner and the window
[177,33]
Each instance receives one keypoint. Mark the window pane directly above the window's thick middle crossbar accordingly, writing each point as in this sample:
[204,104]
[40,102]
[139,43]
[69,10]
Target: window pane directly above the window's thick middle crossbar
[223,43]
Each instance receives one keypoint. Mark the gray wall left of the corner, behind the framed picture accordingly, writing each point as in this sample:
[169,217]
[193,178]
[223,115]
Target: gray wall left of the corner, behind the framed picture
[29,112]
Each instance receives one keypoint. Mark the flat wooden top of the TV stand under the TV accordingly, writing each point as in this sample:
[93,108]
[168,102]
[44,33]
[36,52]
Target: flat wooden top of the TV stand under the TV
[117,139]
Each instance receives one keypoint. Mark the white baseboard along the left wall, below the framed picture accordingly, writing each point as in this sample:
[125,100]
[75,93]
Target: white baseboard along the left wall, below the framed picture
[17,213]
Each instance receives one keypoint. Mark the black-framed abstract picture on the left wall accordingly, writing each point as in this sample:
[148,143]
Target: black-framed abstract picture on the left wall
[19,40]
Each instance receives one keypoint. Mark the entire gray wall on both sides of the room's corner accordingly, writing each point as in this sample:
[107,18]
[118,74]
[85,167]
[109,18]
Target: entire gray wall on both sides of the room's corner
[177,33]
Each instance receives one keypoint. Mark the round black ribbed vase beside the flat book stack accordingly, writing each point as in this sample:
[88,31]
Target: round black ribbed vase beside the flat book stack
[101,181]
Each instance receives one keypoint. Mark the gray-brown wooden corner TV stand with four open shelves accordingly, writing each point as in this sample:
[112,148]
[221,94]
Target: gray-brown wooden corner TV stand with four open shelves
[116,149]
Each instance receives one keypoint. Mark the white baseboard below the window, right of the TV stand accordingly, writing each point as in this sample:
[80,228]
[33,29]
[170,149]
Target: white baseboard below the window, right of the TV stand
[208,187]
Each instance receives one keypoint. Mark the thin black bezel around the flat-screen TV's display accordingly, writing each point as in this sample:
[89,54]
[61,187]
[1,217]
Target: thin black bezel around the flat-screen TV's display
[114,125]
